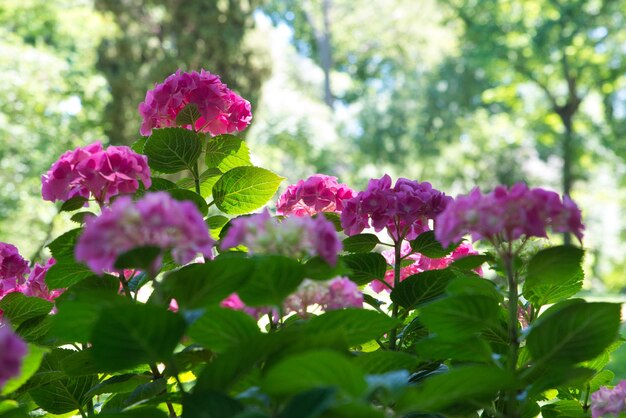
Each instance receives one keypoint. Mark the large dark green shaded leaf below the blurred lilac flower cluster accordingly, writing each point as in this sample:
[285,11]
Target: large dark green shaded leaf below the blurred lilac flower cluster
[125,336]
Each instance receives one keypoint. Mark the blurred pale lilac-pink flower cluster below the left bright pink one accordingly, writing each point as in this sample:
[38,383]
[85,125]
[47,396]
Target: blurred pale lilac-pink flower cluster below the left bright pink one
[157,219]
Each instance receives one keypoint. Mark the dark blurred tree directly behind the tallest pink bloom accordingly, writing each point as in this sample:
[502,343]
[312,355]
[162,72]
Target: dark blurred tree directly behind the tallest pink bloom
[157,37]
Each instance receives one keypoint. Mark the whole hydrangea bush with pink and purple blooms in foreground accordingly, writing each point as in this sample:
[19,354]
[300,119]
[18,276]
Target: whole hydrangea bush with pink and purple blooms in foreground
[190,299]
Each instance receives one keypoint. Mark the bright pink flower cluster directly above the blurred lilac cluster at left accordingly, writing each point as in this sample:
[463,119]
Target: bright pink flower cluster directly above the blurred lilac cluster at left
[95,171]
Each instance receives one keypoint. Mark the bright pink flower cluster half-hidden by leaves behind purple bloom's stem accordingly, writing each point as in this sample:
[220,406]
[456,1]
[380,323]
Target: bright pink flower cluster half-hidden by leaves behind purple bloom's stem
[420,263]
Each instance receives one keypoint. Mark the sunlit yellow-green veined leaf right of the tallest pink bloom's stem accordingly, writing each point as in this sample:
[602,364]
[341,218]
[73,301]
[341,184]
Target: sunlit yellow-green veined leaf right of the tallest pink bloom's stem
[244,189]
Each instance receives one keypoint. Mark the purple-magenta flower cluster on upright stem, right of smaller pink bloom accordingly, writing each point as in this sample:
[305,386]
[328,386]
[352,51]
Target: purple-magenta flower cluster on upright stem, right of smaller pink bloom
[404,209]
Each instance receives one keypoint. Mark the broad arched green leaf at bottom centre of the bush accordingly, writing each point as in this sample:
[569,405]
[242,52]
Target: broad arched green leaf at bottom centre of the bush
[311,370]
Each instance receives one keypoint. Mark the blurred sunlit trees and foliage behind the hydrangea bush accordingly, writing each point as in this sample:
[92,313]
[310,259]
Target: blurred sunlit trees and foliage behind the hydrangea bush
[455,92]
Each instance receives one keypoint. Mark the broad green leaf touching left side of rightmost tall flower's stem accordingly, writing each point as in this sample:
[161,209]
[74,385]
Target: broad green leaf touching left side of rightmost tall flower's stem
[459,317]
